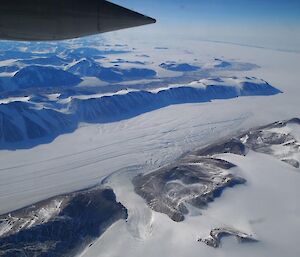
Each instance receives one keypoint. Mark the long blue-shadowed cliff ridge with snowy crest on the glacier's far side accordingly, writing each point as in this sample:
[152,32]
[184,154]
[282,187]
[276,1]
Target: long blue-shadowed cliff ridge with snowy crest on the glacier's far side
[44,117]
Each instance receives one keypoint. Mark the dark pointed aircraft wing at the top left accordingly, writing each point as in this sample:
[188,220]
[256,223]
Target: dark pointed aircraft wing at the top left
[40,20]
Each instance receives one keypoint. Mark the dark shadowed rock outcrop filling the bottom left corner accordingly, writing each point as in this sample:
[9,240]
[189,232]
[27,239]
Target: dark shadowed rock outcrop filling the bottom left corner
[60,226]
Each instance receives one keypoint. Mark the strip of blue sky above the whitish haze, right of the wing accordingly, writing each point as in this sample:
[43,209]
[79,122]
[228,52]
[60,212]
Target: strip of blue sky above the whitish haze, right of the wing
[218,11]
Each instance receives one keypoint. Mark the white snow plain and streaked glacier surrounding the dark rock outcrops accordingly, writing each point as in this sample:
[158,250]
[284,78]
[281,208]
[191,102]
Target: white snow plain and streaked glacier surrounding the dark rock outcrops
[266,206]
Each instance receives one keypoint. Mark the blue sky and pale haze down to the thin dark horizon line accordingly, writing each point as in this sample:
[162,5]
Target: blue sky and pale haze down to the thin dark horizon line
[274,23]
